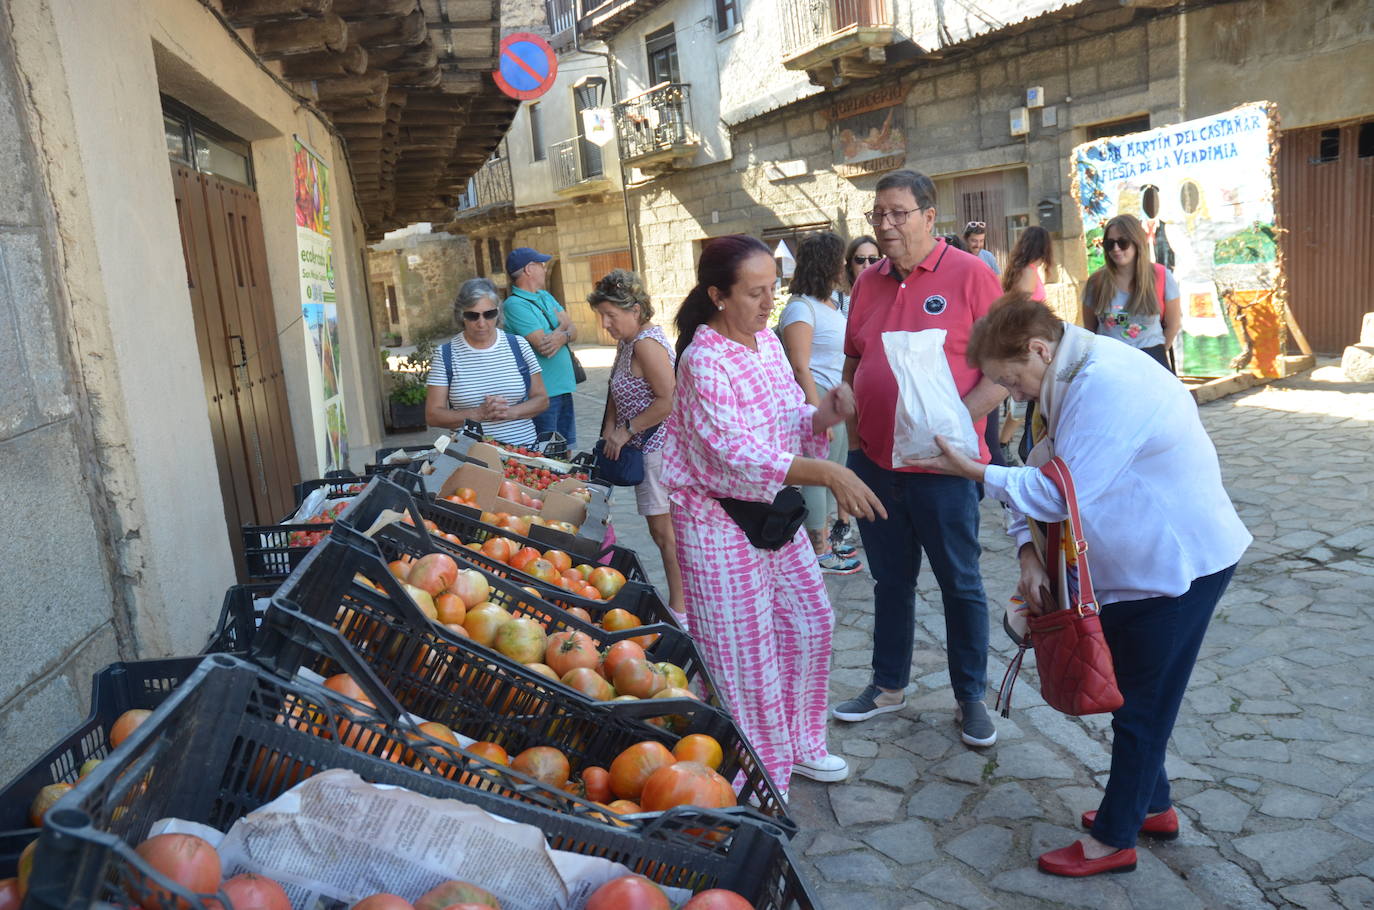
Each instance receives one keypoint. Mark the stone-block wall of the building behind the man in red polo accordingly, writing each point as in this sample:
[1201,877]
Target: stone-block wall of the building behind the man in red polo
[957,124]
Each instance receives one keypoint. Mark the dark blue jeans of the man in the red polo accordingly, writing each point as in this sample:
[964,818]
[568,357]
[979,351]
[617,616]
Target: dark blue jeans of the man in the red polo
[939,515]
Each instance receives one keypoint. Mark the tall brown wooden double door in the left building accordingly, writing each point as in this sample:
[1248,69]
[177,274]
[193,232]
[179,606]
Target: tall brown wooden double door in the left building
[241,359]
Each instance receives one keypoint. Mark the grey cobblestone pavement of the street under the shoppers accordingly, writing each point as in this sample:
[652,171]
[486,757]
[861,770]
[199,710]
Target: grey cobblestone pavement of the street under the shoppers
[1273,757]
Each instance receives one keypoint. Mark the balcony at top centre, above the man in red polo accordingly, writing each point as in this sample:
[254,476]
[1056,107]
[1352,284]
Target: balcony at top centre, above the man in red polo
[837,41]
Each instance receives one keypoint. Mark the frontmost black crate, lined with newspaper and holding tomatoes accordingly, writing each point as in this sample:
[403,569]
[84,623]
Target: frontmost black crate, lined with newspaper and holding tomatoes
[267,736]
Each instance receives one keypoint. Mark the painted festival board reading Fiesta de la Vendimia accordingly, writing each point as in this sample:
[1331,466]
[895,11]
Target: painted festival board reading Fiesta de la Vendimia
[1204,192]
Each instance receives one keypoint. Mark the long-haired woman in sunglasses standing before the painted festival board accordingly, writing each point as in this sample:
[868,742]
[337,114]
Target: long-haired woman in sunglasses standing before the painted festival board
[1131,299]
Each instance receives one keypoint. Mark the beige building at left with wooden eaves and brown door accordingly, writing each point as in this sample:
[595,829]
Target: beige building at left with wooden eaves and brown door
[171,366]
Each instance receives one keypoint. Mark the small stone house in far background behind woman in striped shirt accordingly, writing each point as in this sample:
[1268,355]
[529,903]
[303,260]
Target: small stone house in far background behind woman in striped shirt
[416,276]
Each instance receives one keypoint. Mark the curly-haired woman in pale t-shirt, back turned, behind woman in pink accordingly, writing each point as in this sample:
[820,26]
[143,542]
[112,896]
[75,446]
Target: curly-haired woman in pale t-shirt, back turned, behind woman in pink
[813,331]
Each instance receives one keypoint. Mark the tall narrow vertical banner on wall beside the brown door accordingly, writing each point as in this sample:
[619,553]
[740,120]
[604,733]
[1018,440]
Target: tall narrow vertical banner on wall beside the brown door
[315,258]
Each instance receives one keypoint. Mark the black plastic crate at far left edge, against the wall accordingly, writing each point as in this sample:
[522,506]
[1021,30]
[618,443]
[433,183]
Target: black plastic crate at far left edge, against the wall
[139,684]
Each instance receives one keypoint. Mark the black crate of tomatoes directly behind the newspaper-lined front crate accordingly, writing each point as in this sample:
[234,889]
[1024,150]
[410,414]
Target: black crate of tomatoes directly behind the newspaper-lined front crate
[328,622]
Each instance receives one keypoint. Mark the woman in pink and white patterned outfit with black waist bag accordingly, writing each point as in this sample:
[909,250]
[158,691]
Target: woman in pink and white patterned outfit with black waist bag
[739,423]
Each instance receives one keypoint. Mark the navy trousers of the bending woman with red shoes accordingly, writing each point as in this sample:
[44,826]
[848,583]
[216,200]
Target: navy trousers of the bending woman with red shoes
[1155,644]
